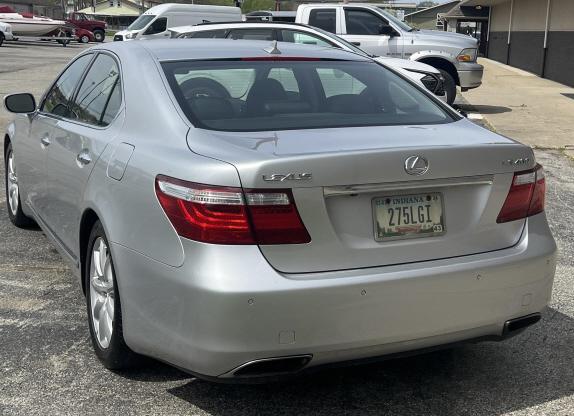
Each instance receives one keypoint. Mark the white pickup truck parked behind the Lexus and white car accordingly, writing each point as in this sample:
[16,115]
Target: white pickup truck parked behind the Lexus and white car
[380,33]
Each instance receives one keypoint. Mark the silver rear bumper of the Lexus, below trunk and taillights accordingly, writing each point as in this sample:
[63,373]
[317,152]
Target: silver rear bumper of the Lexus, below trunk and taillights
[226,306]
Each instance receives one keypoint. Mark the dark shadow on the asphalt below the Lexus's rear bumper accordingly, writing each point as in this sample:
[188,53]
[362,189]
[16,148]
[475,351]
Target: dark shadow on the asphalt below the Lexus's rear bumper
[484,379]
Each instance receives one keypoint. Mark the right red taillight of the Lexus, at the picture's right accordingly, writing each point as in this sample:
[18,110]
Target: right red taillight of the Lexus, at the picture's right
[525,197]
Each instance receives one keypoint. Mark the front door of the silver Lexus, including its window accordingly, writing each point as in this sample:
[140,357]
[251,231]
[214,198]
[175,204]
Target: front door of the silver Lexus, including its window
[34,149]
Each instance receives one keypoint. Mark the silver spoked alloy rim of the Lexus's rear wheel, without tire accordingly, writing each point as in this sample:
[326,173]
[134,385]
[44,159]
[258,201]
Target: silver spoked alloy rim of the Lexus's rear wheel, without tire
[102,294]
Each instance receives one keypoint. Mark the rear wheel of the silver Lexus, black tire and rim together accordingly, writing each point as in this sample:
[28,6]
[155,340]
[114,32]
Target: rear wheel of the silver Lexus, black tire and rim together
[103,300]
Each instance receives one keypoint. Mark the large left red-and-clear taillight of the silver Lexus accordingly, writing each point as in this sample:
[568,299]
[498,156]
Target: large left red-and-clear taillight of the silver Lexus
[226,215]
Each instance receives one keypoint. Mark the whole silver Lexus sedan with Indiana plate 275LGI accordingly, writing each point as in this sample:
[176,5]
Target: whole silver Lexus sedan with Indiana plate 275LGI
[243,210]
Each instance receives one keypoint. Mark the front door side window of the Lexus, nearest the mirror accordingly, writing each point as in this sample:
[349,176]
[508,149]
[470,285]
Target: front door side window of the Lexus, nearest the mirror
[57,100]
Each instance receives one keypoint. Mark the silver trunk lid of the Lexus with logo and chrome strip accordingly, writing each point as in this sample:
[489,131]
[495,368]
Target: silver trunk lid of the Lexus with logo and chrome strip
[338,176]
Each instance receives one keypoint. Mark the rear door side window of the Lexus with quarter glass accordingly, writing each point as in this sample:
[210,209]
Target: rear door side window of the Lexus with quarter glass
[99,97]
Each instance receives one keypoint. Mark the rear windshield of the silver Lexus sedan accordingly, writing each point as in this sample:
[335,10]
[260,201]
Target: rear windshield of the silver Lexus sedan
[285,95]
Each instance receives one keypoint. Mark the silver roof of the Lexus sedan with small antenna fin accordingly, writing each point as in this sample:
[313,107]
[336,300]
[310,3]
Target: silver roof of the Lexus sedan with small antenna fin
[204,49]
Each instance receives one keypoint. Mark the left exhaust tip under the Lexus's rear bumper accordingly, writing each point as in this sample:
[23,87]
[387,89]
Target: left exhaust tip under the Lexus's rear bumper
[276,366]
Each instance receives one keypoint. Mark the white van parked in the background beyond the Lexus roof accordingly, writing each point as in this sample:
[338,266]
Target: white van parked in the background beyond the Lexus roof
[155,22]
